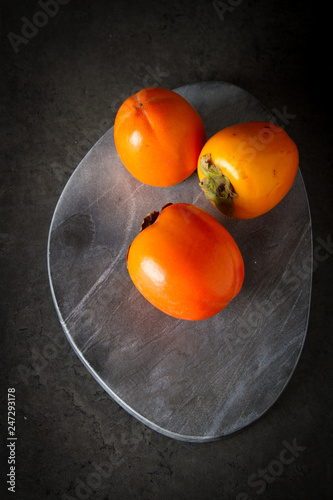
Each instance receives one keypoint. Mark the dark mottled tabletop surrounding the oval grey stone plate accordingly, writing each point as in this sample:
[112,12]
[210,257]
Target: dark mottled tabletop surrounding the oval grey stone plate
[60,93]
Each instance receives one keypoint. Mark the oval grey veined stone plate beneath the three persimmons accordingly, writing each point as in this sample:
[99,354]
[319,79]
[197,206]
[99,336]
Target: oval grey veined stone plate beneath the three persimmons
[193,381]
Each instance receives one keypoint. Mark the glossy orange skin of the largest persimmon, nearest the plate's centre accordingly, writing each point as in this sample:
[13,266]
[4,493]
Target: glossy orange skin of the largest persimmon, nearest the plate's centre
[186,263]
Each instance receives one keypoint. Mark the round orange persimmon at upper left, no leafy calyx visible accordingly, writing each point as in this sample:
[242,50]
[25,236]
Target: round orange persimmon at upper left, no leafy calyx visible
[158,136]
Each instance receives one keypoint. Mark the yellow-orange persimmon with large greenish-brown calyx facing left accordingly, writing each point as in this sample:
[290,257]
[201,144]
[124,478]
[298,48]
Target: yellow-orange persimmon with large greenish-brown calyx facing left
[247,169]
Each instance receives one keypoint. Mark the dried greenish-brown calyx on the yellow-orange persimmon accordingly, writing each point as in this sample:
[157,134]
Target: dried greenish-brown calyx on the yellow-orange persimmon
[217,187]
